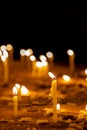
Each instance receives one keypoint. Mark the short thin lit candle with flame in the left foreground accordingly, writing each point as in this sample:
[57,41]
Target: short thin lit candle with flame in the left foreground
[15,100]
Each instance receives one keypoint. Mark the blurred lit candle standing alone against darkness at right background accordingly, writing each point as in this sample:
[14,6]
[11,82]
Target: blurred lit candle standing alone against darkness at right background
[71,61]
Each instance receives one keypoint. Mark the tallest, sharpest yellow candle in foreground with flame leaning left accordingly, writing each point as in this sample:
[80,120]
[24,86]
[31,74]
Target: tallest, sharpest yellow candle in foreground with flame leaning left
[54,95]
